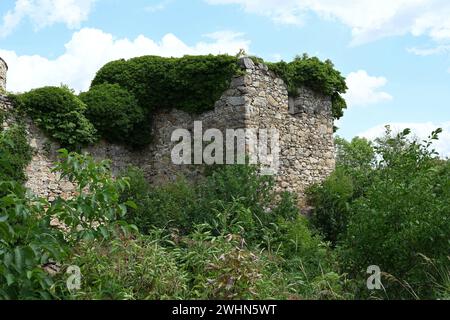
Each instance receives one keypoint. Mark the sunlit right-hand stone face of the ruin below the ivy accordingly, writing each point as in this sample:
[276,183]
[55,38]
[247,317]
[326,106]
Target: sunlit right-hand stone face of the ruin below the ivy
[305,125]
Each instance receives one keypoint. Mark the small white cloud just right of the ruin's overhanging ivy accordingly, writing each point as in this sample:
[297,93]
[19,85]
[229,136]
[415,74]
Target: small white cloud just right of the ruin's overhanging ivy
[365,90]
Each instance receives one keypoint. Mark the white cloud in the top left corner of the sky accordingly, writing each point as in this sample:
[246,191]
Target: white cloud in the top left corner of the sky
[43,13]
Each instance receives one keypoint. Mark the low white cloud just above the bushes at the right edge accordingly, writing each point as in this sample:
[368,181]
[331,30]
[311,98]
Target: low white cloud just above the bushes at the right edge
[419,130]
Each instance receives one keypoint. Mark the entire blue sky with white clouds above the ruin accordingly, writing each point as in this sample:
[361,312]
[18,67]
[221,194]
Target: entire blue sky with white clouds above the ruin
[395,53]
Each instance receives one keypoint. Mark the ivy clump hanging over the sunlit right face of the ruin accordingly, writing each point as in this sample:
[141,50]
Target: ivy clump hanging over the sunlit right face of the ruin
[315,74]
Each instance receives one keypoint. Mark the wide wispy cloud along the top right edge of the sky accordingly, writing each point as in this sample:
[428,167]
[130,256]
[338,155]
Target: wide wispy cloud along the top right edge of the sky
[368,19]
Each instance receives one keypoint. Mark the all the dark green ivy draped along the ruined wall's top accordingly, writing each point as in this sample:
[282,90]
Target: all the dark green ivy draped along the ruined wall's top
[125,94]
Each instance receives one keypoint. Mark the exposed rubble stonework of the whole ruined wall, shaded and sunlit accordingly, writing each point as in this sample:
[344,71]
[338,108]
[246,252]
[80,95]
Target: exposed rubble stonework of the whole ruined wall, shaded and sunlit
[255,100]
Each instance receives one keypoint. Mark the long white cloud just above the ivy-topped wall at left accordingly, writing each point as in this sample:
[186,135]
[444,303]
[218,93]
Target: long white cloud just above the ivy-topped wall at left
[90,49]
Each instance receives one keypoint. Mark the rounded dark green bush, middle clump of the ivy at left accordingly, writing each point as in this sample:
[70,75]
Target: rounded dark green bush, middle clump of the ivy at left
[114,112]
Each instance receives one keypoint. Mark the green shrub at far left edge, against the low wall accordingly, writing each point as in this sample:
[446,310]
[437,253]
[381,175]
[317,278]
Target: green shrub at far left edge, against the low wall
[15,154]
